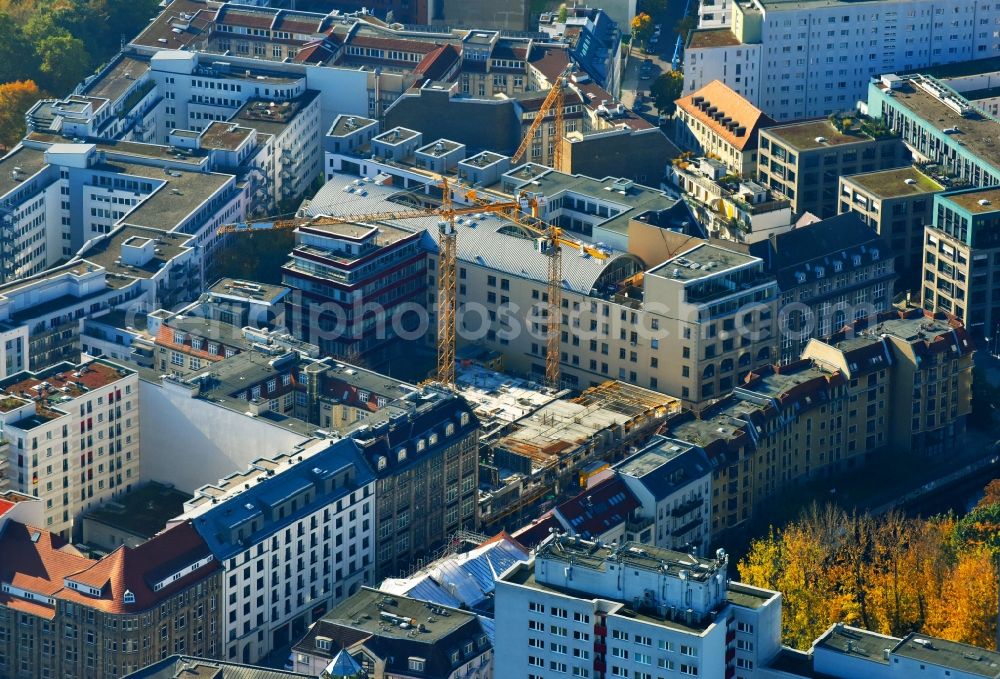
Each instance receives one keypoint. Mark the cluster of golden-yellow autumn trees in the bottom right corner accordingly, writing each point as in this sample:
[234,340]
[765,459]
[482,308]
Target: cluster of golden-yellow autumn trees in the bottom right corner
[889,574]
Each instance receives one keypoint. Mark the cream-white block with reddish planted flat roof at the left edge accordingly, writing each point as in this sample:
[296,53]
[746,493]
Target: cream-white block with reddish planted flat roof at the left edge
[74,437]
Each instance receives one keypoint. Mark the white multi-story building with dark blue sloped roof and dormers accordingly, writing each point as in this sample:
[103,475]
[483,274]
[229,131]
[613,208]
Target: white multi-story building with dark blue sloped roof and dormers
[295,535]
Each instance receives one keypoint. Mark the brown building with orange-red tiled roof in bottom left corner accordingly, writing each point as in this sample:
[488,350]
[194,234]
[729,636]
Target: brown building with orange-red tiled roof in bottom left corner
[64,614]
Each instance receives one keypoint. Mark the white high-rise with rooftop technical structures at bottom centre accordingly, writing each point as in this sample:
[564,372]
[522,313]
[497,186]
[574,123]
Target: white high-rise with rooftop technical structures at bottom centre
[586,610]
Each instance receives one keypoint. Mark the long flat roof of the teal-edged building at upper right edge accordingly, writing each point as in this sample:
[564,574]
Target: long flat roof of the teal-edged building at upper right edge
[976,131]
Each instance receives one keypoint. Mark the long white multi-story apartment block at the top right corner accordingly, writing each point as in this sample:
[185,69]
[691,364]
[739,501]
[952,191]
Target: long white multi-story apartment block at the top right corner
[804,59]
